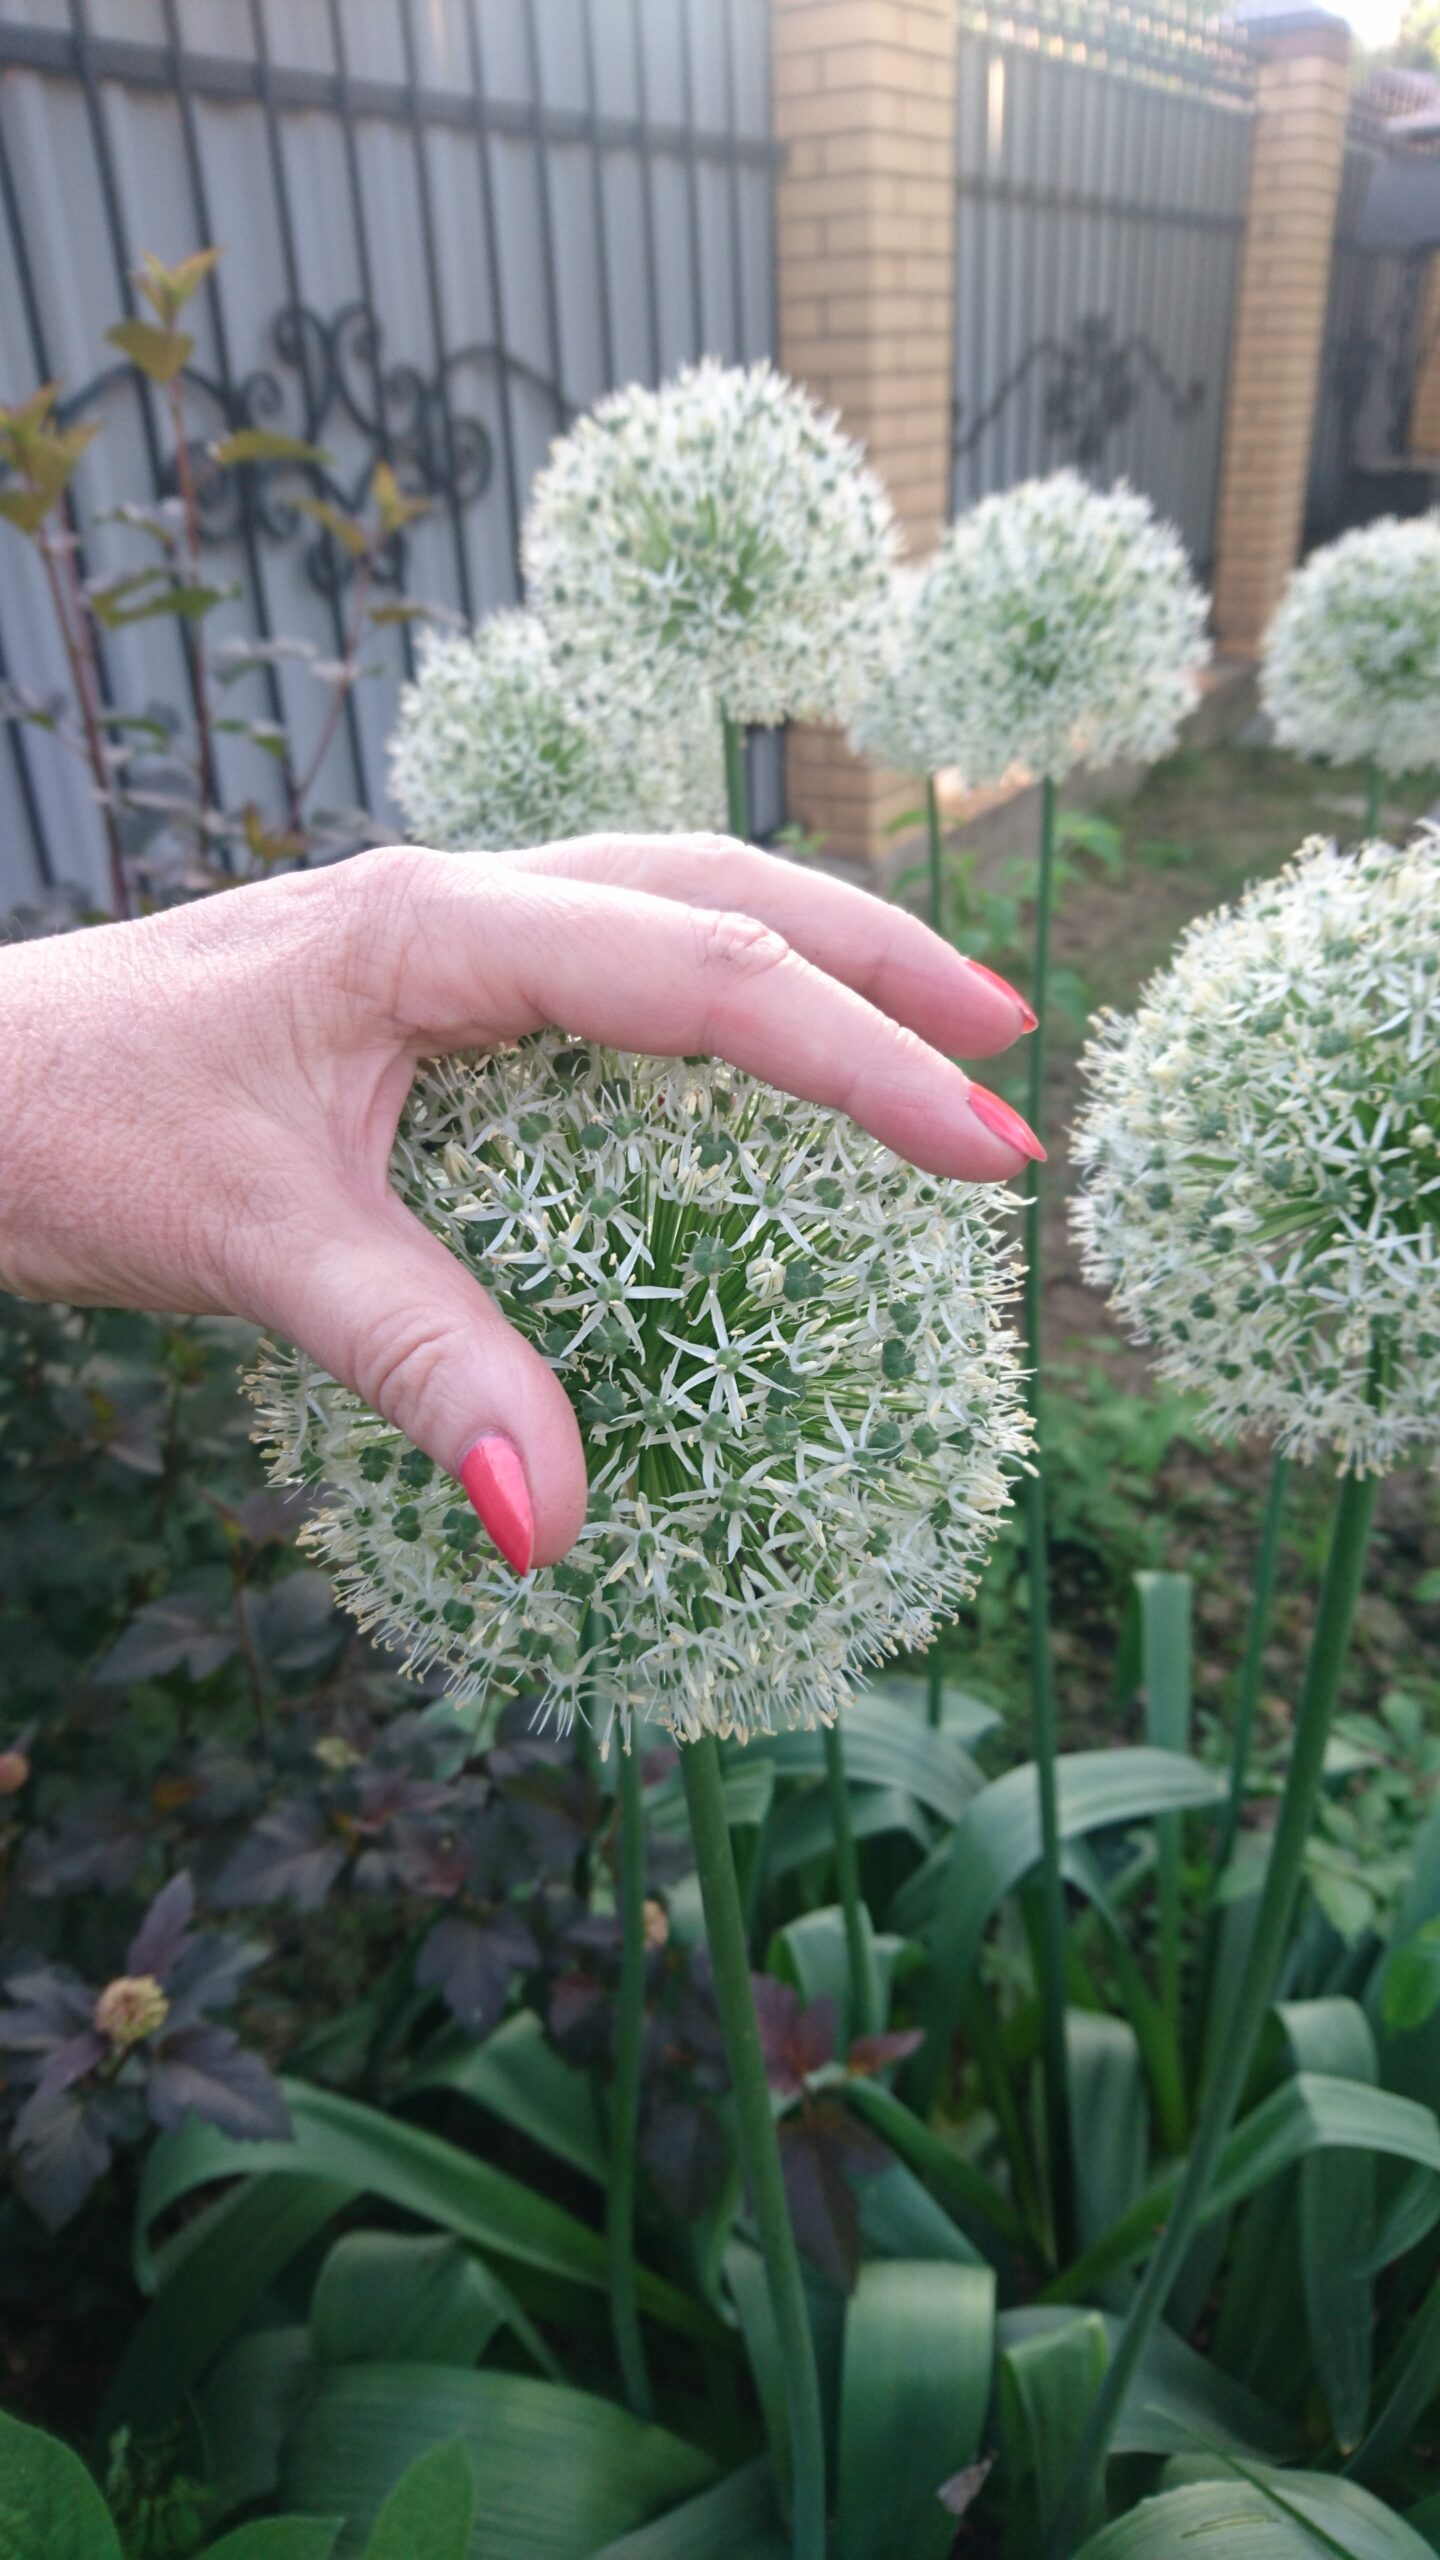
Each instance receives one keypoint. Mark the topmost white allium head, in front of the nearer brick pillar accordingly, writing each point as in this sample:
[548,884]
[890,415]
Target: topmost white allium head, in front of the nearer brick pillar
[719,536]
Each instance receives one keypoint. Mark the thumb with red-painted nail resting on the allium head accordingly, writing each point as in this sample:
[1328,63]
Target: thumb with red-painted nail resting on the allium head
[388,1312]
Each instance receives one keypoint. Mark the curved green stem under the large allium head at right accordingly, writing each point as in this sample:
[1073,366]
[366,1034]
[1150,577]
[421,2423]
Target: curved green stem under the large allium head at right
[1323,1673]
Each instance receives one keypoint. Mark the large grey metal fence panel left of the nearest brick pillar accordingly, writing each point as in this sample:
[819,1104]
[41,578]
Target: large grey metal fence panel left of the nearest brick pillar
[447,227]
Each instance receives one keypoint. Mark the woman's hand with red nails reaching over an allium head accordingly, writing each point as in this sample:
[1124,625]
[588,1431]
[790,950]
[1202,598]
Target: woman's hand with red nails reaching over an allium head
[199,1110]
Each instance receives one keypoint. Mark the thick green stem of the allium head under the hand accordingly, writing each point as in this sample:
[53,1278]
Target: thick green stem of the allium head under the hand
[760,2147]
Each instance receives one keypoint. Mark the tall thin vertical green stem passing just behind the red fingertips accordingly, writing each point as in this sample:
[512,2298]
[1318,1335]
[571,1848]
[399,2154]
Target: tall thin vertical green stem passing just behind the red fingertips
[1039,1581]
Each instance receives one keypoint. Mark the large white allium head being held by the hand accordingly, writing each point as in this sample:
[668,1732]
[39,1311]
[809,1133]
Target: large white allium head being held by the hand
[790,1366]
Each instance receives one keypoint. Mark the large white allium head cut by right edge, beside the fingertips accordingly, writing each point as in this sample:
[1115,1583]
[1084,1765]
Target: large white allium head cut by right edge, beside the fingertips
[1262,1158]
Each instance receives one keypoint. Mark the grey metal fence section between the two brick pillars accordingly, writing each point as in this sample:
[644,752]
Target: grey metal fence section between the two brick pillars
[1100,201]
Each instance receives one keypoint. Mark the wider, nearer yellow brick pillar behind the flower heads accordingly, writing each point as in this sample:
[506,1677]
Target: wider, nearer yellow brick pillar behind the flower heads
[865,104]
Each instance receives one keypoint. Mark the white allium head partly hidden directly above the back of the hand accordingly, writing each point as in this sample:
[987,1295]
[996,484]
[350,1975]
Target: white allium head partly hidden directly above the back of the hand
[493,749]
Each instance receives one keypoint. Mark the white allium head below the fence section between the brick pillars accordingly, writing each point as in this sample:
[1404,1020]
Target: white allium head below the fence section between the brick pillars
[1057,626]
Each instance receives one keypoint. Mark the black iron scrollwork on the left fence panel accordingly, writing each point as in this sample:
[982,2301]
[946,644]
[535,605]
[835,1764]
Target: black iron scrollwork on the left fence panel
[332,375]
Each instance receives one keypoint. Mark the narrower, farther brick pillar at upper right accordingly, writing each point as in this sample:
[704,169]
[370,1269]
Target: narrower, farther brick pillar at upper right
[1280,316]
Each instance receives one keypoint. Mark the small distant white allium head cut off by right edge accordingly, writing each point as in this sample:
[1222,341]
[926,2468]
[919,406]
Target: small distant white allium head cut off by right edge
[1354,654]
